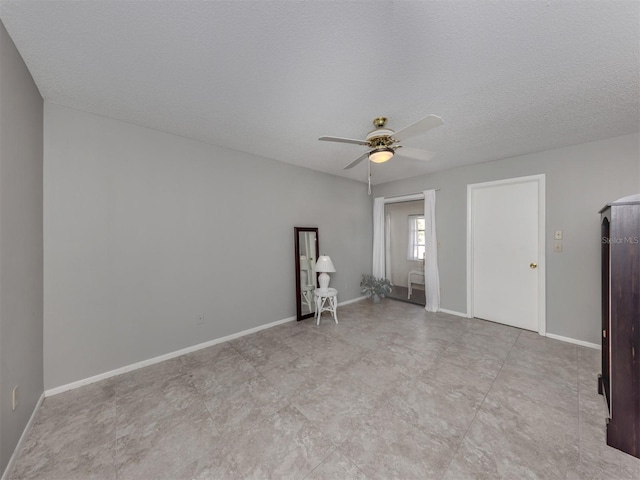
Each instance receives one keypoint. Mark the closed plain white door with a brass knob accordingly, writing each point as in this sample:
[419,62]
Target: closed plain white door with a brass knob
[507,252]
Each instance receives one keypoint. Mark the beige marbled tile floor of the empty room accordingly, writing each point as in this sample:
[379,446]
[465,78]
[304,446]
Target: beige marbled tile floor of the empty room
[390,392]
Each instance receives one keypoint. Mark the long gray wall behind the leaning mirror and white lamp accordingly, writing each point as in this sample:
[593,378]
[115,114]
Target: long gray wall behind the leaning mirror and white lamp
[144,230]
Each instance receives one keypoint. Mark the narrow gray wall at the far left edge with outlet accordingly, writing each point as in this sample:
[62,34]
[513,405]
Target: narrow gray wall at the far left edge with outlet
[20,245]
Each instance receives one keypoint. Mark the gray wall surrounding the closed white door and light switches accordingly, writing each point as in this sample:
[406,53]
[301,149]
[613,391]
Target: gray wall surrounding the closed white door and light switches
[580,179]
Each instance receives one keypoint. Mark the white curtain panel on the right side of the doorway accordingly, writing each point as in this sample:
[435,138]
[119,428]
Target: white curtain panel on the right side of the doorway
[431,275]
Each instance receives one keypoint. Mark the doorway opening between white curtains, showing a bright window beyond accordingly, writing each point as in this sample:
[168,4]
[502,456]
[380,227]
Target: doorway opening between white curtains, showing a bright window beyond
[405,250]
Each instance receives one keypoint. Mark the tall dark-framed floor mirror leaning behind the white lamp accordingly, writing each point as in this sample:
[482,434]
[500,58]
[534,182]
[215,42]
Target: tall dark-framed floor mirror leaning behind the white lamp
[306,240]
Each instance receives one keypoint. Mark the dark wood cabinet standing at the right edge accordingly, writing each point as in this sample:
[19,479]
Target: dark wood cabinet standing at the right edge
[619,381]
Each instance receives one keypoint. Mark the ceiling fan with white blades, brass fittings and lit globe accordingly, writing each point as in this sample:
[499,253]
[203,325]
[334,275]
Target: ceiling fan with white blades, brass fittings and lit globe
[383,142]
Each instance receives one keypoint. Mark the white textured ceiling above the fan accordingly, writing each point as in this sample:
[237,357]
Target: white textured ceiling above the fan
[270,77]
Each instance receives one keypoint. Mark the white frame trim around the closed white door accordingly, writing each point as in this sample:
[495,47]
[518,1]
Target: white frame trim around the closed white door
[540,179]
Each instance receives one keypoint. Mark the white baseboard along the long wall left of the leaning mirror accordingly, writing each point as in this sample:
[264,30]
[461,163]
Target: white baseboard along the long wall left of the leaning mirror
[161,358]
